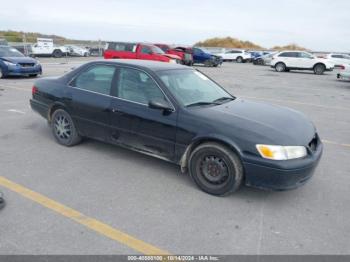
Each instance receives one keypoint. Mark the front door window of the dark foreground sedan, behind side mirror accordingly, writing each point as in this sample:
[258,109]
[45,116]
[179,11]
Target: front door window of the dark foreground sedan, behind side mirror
[137,86]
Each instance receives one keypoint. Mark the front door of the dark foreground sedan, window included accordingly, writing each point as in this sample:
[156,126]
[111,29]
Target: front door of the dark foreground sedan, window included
[136,125]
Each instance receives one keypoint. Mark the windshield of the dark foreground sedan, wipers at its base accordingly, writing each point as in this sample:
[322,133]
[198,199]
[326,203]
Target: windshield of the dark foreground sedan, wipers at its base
[190,87]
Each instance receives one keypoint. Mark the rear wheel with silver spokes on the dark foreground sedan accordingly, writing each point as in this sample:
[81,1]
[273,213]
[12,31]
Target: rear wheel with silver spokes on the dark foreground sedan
[63,128]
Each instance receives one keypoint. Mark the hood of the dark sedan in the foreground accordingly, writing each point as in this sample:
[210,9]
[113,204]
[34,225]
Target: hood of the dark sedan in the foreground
[261,123]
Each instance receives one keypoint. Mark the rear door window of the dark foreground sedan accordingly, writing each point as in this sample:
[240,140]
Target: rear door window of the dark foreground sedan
[96,79]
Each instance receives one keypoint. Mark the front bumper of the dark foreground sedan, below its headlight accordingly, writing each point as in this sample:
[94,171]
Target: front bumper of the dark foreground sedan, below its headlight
[288,174]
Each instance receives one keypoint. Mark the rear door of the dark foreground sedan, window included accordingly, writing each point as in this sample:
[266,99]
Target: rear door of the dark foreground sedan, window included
[90,100]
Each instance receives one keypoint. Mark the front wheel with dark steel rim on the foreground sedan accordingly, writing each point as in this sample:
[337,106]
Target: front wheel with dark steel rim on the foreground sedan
[223,170]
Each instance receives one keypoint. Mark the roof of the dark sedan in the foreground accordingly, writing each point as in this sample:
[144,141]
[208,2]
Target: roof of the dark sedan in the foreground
[143,64]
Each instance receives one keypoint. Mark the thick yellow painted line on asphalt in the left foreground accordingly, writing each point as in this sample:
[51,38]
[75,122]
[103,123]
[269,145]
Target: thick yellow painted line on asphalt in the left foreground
[86,221]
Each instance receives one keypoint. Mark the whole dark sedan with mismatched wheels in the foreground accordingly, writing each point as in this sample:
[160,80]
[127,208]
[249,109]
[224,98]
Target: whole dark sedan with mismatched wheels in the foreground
[179,114]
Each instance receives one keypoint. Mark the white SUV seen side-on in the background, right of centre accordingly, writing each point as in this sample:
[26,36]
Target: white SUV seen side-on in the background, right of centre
[300,60]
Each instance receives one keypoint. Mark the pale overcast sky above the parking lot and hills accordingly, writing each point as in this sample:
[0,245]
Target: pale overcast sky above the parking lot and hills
[315,24]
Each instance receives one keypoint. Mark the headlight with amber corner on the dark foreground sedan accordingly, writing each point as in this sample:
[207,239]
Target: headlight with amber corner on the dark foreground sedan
[281,152]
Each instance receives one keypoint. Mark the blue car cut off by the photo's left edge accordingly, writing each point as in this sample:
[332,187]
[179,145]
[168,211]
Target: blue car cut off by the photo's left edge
[14,63]
